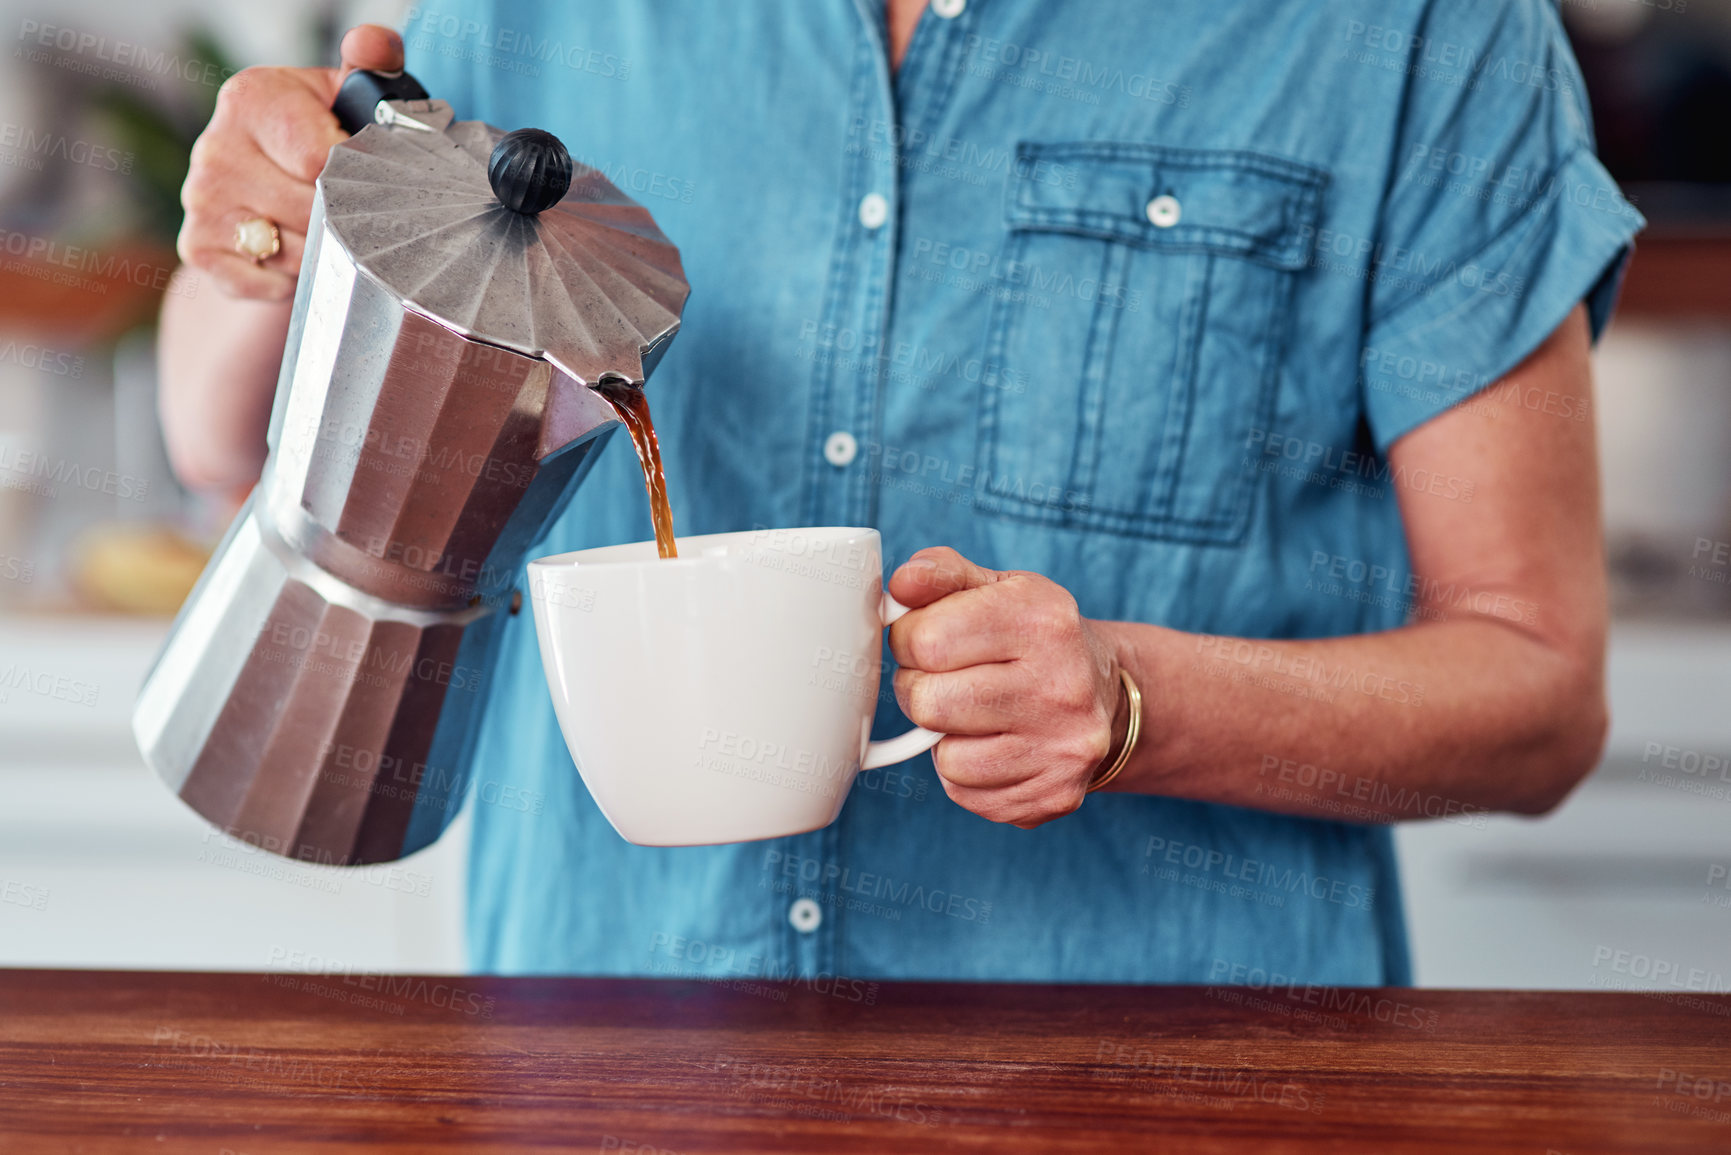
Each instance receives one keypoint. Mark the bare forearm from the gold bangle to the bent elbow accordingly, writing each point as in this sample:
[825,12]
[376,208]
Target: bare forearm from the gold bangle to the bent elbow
[1427,721]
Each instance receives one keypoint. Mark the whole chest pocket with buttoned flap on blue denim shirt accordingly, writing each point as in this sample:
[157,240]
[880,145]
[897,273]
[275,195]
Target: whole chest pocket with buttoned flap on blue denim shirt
[1138,321]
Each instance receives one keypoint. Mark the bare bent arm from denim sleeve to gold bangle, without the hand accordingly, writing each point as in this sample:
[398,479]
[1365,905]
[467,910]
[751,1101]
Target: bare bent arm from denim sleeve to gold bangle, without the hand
[1495,699]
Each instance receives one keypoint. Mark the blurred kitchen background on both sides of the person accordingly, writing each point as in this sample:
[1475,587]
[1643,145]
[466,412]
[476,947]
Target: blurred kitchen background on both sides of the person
[101,867]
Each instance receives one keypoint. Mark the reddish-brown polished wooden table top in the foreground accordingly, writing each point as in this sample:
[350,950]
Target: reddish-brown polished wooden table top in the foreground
[266,1064]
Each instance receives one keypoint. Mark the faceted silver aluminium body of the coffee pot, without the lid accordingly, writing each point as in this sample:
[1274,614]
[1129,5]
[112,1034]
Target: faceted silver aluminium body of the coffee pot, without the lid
[323,685]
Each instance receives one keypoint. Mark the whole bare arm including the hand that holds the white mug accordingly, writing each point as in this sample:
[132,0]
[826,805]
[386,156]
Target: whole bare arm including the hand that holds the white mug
[1491,700]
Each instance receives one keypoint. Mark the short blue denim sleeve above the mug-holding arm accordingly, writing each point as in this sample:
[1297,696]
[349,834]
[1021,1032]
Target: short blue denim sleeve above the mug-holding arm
[1498,221]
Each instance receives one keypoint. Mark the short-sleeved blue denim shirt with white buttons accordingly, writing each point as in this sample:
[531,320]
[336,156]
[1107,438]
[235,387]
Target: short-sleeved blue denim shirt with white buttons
[1135,297]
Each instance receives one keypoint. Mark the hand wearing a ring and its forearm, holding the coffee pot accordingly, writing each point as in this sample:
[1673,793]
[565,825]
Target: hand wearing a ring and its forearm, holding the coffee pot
[222,344]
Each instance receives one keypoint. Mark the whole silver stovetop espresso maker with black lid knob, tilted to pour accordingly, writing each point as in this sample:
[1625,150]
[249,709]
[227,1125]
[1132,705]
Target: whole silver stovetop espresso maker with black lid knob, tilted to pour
[461,294]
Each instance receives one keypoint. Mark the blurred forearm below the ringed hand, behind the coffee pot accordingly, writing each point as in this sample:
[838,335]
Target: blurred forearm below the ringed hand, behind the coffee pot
[219,359]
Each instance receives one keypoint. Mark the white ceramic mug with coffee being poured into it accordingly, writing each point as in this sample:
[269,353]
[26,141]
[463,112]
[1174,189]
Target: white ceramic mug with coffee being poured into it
[723,695]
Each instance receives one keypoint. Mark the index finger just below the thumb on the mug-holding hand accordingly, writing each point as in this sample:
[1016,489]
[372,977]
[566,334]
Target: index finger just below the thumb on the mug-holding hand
[998,623]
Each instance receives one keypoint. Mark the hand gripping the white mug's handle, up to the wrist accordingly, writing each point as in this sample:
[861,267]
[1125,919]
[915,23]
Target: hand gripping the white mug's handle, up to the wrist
[1022,685]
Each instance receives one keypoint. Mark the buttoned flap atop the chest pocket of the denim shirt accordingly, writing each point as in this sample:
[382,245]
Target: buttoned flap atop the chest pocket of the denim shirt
[1245,205]
